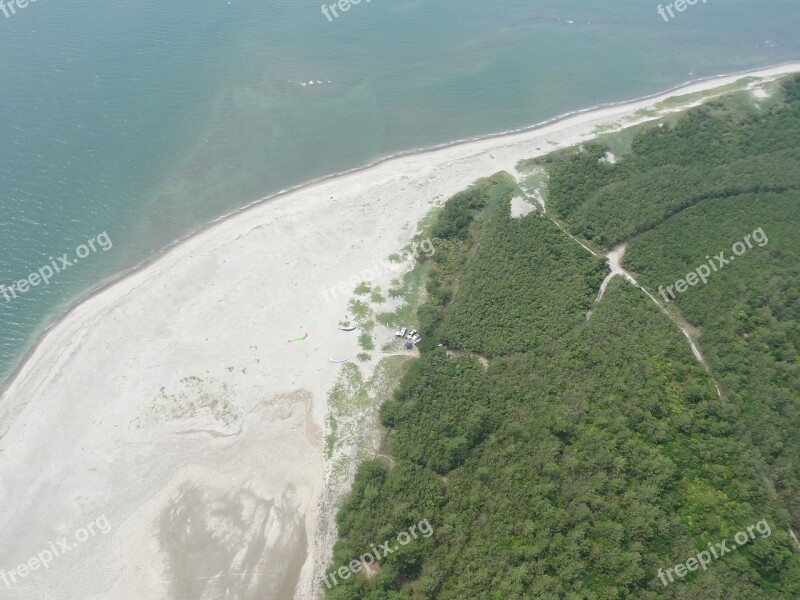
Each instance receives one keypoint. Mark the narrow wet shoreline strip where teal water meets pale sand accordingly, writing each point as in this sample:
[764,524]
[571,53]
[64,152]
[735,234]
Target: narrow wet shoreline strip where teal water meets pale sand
[153,259]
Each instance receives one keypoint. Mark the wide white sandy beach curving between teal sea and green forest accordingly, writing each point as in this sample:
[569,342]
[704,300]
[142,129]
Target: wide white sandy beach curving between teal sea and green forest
[172,403]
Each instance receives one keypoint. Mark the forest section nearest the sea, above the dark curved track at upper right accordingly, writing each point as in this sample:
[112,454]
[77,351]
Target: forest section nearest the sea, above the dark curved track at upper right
[719,150]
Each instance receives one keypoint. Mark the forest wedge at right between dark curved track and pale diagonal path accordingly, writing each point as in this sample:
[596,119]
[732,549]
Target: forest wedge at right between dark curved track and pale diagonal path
[748,317]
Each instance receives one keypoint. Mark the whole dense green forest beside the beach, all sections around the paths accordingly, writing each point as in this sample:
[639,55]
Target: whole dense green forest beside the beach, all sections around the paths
[560,457]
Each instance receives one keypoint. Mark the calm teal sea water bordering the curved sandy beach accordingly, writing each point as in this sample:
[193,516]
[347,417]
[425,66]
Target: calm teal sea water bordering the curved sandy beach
[147,120]
